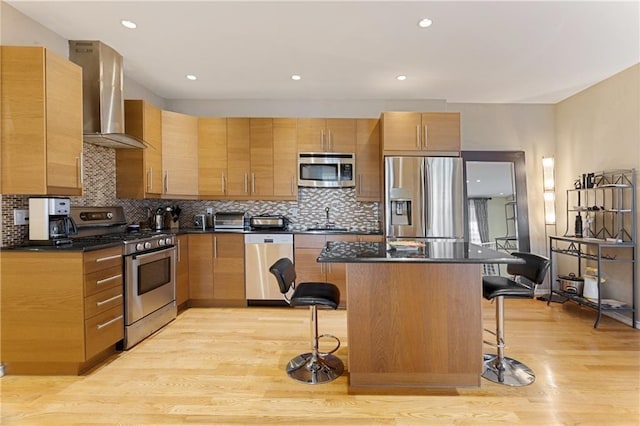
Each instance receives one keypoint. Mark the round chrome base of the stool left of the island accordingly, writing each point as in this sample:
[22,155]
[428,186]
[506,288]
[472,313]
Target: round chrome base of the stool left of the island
[323,370]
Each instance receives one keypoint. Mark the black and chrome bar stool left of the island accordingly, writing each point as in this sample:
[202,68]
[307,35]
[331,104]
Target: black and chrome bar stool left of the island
[313,367]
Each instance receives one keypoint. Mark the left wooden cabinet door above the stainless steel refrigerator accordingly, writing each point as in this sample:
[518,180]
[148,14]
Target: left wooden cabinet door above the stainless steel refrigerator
[401,131]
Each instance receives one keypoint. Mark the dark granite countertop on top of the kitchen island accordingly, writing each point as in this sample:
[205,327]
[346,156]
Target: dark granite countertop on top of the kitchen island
[432,252]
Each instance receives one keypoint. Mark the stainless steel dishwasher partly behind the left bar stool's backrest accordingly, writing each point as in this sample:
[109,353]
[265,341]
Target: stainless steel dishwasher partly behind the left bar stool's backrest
[260,252]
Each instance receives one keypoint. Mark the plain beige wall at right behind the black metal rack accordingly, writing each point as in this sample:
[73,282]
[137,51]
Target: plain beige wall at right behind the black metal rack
[599,129]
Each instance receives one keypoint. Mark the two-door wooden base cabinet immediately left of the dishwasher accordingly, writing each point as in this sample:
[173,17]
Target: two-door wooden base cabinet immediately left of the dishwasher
[216,270]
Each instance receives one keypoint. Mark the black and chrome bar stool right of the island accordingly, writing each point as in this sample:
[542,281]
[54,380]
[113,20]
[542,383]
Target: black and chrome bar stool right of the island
[499,368]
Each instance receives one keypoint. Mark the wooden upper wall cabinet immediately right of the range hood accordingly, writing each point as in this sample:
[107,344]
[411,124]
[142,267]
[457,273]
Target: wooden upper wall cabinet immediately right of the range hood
[139,171]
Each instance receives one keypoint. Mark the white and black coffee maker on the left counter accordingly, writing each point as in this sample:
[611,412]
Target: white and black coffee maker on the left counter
[49,221]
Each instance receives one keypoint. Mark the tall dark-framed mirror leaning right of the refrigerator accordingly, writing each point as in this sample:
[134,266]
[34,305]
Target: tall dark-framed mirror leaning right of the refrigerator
[497,212]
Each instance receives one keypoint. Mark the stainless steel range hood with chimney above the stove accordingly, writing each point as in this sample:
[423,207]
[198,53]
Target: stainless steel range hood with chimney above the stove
[103,101]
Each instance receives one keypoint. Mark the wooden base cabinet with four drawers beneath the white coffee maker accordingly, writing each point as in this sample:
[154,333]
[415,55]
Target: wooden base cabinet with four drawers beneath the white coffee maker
[70,313]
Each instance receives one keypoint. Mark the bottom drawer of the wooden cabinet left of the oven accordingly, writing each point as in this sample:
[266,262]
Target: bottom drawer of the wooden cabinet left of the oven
[104,330]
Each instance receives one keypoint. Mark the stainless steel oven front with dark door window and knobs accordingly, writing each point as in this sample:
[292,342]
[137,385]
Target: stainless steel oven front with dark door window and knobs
[150,290]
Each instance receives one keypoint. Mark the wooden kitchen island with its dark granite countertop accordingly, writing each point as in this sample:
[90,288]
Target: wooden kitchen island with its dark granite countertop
[414,319]
